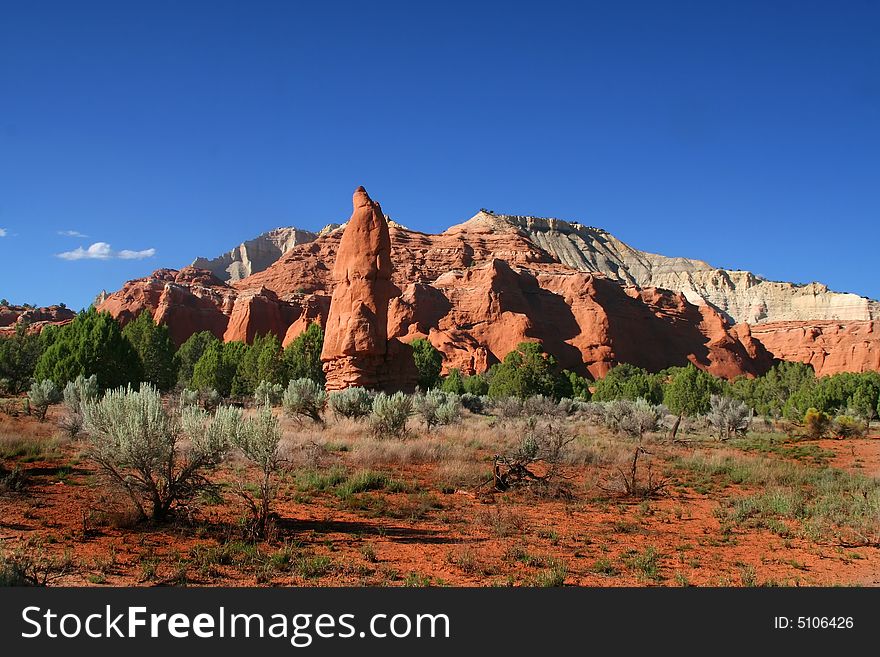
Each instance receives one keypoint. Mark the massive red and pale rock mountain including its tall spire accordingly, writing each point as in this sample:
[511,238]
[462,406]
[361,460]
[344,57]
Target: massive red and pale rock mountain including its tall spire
[479,288]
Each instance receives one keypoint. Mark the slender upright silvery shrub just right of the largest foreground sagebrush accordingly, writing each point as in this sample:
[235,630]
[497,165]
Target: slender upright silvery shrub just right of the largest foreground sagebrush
[259,439]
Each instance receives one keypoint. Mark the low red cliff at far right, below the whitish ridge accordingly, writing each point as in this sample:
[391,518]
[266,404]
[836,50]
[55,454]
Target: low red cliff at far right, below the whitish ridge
[829,346]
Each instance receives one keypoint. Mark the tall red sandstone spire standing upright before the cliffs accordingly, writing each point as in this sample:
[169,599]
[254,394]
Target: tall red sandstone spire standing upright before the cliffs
[356,350]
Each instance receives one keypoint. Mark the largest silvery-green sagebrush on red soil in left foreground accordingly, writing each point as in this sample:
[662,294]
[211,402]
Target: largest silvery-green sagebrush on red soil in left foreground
[139,446]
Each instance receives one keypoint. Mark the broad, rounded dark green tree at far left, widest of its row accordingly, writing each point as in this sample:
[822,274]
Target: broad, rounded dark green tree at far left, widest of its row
[92,343]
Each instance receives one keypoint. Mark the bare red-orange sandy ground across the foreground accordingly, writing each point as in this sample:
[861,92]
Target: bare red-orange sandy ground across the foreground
[458,538]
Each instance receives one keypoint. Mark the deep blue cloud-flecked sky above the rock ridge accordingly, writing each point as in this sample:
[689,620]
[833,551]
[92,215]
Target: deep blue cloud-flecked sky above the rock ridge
[746,134]
